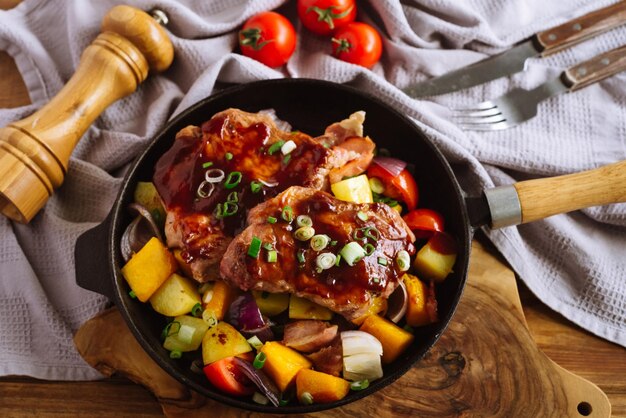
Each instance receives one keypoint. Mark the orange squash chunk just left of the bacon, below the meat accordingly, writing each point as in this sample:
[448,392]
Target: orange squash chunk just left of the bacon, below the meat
[282,364]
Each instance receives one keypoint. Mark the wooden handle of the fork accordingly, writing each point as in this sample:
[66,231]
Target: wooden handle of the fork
[596,69]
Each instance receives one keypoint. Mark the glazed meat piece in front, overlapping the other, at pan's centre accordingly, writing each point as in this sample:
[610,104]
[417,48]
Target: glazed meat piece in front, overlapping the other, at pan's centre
[349,290]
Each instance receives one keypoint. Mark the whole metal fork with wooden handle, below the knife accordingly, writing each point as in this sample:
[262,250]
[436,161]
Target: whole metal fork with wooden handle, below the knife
[519,105]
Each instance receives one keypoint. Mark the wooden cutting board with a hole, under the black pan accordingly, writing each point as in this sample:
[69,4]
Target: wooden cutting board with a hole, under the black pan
[485,364]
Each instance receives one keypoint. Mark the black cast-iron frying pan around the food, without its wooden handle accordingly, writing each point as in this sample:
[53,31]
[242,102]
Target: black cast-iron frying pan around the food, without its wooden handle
[309,106]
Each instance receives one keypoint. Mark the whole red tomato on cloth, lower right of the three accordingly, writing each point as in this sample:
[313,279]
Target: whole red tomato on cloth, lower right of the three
[357,43]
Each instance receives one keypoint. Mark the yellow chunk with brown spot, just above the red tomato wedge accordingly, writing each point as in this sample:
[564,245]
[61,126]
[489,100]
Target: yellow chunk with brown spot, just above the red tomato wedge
[222,341]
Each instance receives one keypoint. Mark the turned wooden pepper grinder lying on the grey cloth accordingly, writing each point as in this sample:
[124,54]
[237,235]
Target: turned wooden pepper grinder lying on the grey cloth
[35,152]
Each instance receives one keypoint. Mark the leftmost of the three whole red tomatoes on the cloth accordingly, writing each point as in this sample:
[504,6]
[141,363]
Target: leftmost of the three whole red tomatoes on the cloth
[268,37]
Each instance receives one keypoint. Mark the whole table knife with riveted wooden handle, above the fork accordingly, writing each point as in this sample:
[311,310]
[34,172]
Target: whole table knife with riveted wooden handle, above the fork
[512,61]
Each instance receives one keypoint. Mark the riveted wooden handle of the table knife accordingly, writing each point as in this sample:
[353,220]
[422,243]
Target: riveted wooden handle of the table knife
[581,28]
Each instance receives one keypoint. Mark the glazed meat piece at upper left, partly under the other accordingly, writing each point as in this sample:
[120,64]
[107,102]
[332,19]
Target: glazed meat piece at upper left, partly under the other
[214,173]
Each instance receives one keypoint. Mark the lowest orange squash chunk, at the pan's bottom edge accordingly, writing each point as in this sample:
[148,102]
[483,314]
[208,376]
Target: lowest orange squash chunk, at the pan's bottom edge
[323,387]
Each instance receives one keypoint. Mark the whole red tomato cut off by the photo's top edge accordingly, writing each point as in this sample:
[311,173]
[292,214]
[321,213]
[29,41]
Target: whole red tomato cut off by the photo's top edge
[323,16]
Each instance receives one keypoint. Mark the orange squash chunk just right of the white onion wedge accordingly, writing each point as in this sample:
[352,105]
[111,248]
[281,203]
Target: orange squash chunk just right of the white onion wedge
[393,338]
